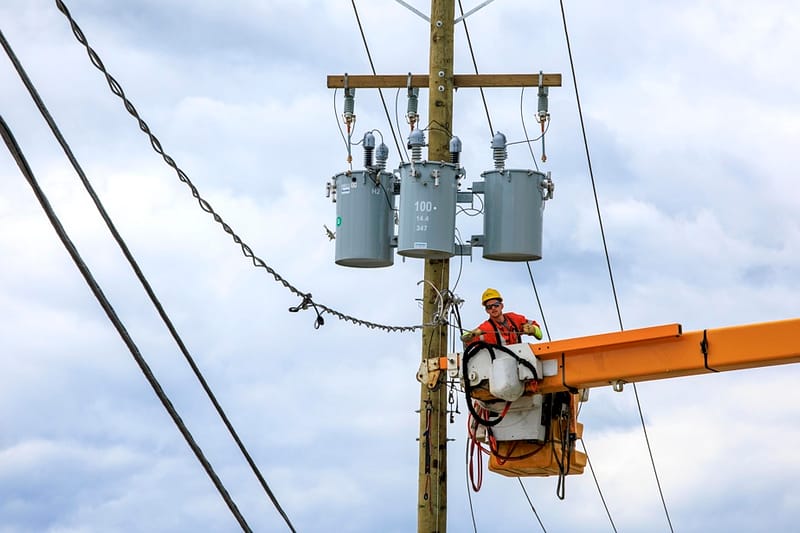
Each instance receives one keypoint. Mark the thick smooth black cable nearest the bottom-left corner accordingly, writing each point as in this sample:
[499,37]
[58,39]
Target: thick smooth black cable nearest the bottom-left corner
[18,156]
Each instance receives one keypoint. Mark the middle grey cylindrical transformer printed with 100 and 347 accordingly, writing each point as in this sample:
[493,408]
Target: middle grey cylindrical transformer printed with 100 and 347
[428,193]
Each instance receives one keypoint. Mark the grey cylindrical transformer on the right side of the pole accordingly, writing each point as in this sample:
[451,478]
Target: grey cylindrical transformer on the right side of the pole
[513,212]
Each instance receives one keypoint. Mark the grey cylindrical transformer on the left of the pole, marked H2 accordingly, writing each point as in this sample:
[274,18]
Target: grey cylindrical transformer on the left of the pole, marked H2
[364,221]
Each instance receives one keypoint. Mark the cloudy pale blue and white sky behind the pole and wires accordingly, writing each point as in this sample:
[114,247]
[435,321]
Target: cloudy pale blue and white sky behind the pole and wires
[692,113]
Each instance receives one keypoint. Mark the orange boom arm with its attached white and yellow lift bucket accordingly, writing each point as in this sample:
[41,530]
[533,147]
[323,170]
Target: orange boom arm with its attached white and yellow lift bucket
[523,397]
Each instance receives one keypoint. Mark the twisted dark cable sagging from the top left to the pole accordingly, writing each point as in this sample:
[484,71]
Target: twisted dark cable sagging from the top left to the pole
[116,88]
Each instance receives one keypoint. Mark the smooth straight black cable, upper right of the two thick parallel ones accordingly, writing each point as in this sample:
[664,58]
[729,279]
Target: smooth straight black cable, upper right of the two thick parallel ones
[137,271]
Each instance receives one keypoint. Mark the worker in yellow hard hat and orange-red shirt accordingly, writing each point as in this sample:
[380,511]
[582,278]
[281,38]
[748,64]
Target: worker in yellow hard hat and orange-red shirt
[501,328]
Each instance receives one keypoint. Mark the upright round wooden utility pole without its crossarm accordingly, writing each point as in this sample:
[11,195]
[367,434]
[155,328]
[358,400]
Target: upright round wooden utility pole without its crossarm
[432,496]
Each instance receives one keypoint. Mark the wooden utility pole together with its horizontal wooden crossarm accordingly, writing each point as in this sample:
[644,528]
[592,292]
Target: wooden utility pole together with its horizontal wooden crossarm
[441,82]
